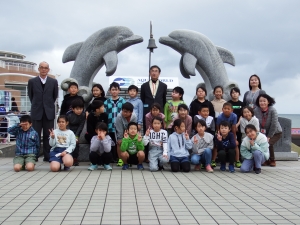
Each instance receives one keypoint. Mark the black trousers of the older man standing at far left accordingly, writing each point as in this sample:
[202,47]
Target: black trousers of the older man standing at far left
[45,125]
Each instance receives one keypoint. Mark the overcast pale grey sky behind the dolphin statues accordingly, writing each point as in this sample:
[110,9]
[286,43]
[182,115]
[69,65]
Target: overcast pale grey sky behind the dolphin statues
[264,37]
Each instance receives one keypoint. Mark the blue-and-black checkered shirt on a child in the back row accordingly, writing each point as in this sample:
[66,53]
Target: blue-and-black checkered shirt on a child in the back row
[112,111]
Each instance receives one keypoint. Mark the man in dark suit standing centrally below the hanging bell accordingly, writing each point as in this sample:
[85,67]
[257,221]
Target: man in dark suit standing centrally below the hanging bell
[153,91]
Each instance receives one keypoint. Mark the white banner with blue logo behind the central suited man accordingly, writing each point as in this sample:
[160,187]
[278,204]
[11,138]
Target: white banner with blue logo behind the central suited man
[125,82]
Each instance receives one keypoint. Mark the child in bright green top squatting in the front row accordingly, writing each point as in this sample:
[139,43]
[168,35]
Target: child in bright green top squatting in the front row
[132,147]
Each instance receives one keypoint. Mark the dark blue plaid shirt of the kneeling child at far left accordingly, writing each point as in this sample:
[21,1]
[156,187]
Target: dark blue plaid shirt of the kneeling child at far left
[27,142]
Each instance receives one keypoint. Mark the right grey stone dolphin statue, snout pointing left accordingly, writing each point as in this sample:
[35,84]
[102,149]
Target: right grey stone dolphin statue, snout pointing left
[198,52]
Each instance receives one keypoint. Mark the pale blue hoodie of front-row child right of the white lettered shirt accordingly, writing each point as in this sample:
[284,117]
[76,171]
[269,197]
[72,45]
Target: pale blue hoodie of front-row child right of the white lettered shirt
[178,146]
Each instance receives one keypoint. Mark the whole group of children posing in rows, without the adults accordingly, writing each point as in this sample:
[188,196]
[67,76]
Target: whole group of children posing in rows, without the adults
[179,135]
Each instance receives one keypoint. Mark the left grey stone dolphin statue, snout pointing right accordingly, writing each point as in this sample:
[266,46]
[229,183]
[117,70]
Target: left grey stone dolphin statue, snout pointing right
[101,48]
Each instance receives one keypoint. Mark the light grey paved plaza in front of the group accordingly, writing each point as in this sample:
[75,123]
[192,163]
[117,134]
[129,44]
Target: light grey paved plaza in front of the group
[141,197]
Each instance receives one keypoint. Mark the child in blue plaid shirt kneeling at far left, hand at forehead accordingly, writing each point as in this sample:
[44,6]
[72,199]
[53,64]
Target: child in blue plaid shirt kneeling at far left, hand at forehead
[27,144]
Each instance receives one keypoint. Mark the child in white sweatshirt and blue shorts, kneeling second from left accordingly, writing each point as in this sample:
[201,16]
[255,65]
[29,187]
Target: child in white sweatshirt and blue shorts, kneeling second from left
[63,142]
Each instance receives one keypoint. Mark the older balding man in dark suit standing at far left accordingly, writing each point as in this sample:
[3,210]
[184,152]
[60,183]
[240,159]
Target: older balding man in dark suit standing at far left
[42,92]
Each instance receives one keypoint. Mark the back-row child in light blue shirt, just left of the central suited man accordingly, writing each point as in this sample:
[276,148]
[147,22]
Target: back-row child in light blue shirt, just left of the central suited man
[137,104]
